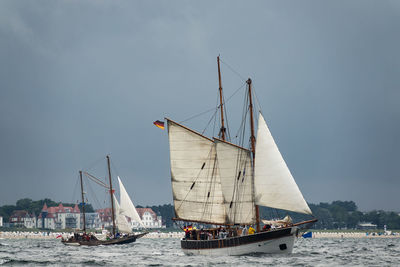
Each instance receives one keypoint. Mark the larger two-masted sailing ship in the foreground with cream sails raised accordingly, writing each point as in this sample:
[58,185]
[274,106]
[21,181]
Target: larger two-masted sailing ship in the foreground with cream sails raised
[221,185]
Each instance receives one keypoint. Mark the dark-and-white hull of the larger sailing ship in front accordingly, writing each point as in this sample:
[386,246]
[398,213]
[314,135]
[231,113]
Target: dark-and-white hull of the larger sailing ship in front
[274,241]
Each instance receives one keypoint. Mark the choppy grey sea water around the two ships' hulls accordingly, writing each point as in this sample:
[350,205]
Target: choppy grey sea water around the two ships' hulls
[166,252]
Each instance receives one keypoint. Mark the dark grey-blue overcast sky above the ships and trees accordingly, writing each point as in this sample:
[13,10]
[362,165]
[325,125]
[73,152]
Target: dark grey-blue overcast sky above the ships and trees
[83,79]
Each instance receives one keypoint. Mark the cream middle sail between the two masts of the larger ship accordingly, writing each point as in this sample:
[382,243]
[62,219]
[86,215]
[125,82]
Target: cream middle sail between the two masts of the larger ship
[236,181]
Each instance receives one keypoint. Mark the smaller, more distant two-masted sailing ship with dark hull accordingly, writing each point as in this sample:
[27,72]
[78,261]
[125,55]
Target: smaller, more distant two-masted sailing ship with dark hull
[119,213]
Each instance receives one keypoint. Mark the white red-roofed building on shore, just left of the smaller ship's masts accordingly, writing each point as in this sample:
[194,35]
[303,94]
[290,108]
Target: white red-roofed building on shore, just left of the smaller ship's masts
[60,217]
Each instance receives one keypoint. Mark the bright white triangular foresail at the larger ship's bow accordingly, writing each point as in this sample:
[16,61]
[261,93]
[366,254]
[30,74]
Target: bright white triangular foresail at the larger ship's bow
[273,183]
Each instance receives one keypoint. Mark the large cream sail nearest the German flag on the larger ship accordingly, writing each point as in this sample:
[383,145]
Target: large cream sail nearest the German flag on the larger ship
[195,179]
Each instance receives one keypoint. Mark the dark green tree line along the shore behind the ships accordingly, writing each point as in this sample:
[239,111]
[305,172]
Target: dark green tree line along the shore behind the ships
[335,215]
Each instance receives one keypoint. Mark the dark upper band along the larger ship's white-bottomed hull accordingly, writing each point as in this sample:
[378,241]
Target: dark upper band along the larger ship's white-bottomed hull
[238,241]
